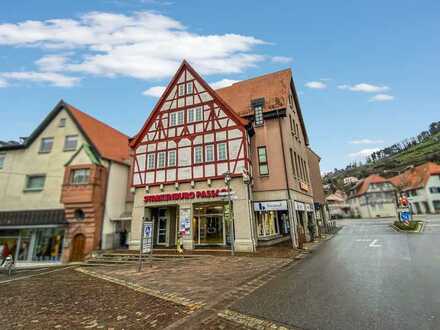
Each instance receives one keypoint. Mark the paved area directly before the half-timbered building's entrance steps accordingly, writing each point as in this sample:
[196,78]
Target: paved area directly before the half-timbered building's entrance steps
[201,280]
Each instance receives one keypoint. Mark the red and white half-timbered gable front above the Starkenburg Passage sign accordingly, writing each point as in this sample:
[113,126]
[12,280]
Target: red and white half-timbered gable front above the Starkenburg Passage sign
[189,118]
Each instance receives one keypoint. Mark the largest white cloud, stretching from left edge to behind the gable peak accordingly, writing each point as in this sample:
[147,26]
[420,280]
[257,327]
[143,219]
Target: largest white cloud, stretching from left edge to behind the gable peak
[143,45]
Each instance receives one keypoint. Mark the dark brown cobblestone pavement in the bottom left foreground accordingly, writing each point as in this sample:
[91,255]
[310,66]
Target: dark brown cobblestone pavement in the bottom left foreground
[67,299]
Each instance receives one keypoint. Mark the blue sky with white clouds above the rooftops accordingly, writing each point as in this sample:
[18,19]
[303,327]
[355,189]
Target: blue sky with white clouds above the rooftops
[367,73]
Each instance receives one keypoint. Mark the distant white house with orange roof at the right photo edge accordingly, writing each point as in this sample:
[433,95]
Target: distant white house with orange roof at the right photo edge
[421,185]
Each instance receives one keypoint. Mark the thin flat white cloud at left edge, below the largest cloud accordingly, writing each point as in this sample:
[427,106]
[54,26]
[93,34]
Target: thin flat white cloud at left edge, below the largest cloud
[52,78]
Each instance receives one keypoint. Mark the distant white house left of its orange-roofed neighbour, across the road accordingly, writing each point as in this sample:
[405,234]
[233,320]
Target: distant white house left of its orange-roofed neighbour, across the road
[373,197]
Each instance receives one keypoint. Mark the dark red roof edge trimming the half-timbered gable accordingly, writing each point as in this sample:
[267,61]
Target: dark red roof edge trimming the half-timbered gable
[184,66]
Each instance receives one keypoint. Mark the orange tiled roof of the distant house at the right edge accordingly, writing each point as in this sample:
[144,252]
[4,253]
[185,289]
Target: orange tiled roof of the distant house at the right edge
[416,177]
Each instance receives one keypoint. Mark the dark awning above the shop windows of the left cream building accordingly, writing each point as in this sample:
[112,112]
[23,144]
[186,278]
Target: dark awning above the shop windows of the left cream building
[32,218]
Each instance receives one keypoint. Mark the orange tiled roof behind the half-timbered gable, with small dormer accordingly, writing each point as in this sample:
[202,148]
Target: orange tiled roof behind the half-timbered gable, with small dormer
[273,87]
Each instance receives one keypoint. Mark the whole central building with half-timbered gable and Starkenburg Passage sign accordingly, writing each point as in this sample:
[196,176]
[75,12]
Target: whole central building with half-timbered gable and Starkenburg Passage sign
[252,130]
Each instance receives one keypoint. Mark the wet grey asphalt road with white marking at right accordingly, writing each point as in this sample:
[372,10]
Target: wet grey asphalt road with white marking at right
[367,277]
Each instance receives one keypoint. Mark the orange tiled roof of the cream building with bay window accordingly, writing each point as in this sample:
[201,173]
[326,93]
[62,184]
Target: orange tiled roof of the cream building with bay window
[107,141]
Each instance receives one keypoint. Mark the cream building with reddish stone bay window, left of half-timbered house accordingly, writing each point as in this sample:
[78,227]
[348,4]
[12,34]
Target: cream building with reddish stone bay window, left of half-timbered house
[60,187]
